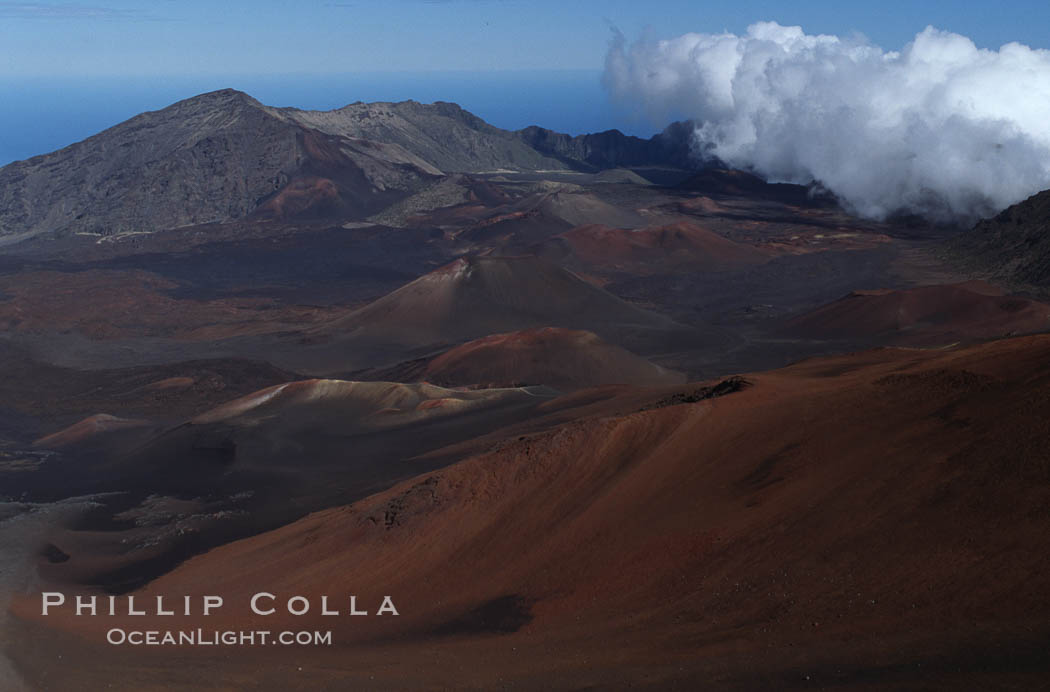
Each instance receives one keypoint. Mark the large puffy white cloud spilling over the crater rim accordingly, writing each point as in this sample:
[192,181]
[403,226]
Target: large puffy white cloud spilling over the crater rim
[940,129]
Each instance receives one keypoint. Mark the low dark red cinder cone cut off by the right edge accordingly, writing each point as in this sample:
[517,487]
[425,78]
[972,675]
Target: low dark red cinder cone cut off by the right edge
[926,316]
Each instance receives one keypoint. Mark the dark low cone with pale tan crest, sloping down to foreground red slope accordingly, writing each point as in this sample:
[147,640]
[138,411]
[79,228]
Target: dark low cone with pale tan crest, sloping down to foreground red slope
[249,466]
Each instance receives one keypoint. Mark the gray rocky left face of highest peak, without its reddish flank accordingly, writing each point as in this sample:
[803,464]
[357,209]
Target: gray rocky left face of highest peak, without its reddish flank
[203,160]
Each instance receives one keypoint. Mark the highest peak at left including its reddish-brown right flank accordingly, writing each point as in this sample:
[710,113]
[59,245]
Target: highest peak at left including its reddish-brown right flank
[215,158]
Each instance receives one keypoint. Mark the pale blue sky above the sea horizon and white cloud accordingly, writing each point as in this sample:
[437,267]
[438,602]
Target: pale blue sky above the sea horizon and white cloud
[195,37]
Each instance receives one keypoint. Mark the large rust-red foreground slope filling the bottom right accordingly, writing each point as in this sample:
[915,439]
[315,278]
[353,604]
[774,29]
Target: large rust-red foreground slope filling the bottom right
[872,521]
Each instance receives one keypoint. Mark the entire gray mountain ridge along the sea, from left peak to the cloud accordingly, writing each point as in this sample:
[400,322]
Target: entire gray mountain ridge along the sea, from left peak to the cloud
[223,156]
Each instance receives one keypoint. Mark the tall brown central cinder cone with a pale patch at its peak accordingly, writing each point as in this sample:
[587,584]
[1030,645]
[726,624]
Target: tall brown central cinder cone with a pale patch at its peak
[477,297]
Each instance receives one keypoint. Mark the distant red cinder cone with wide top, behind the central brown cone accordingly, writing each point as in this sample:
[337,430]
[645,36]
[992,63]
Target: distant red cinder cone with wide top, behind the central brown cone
[652,250]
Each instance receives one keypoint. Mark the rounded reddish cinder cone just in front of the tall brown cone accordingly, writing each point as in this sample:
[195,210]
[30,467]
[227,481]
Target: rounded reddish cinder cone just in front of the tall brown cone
[562,359]
